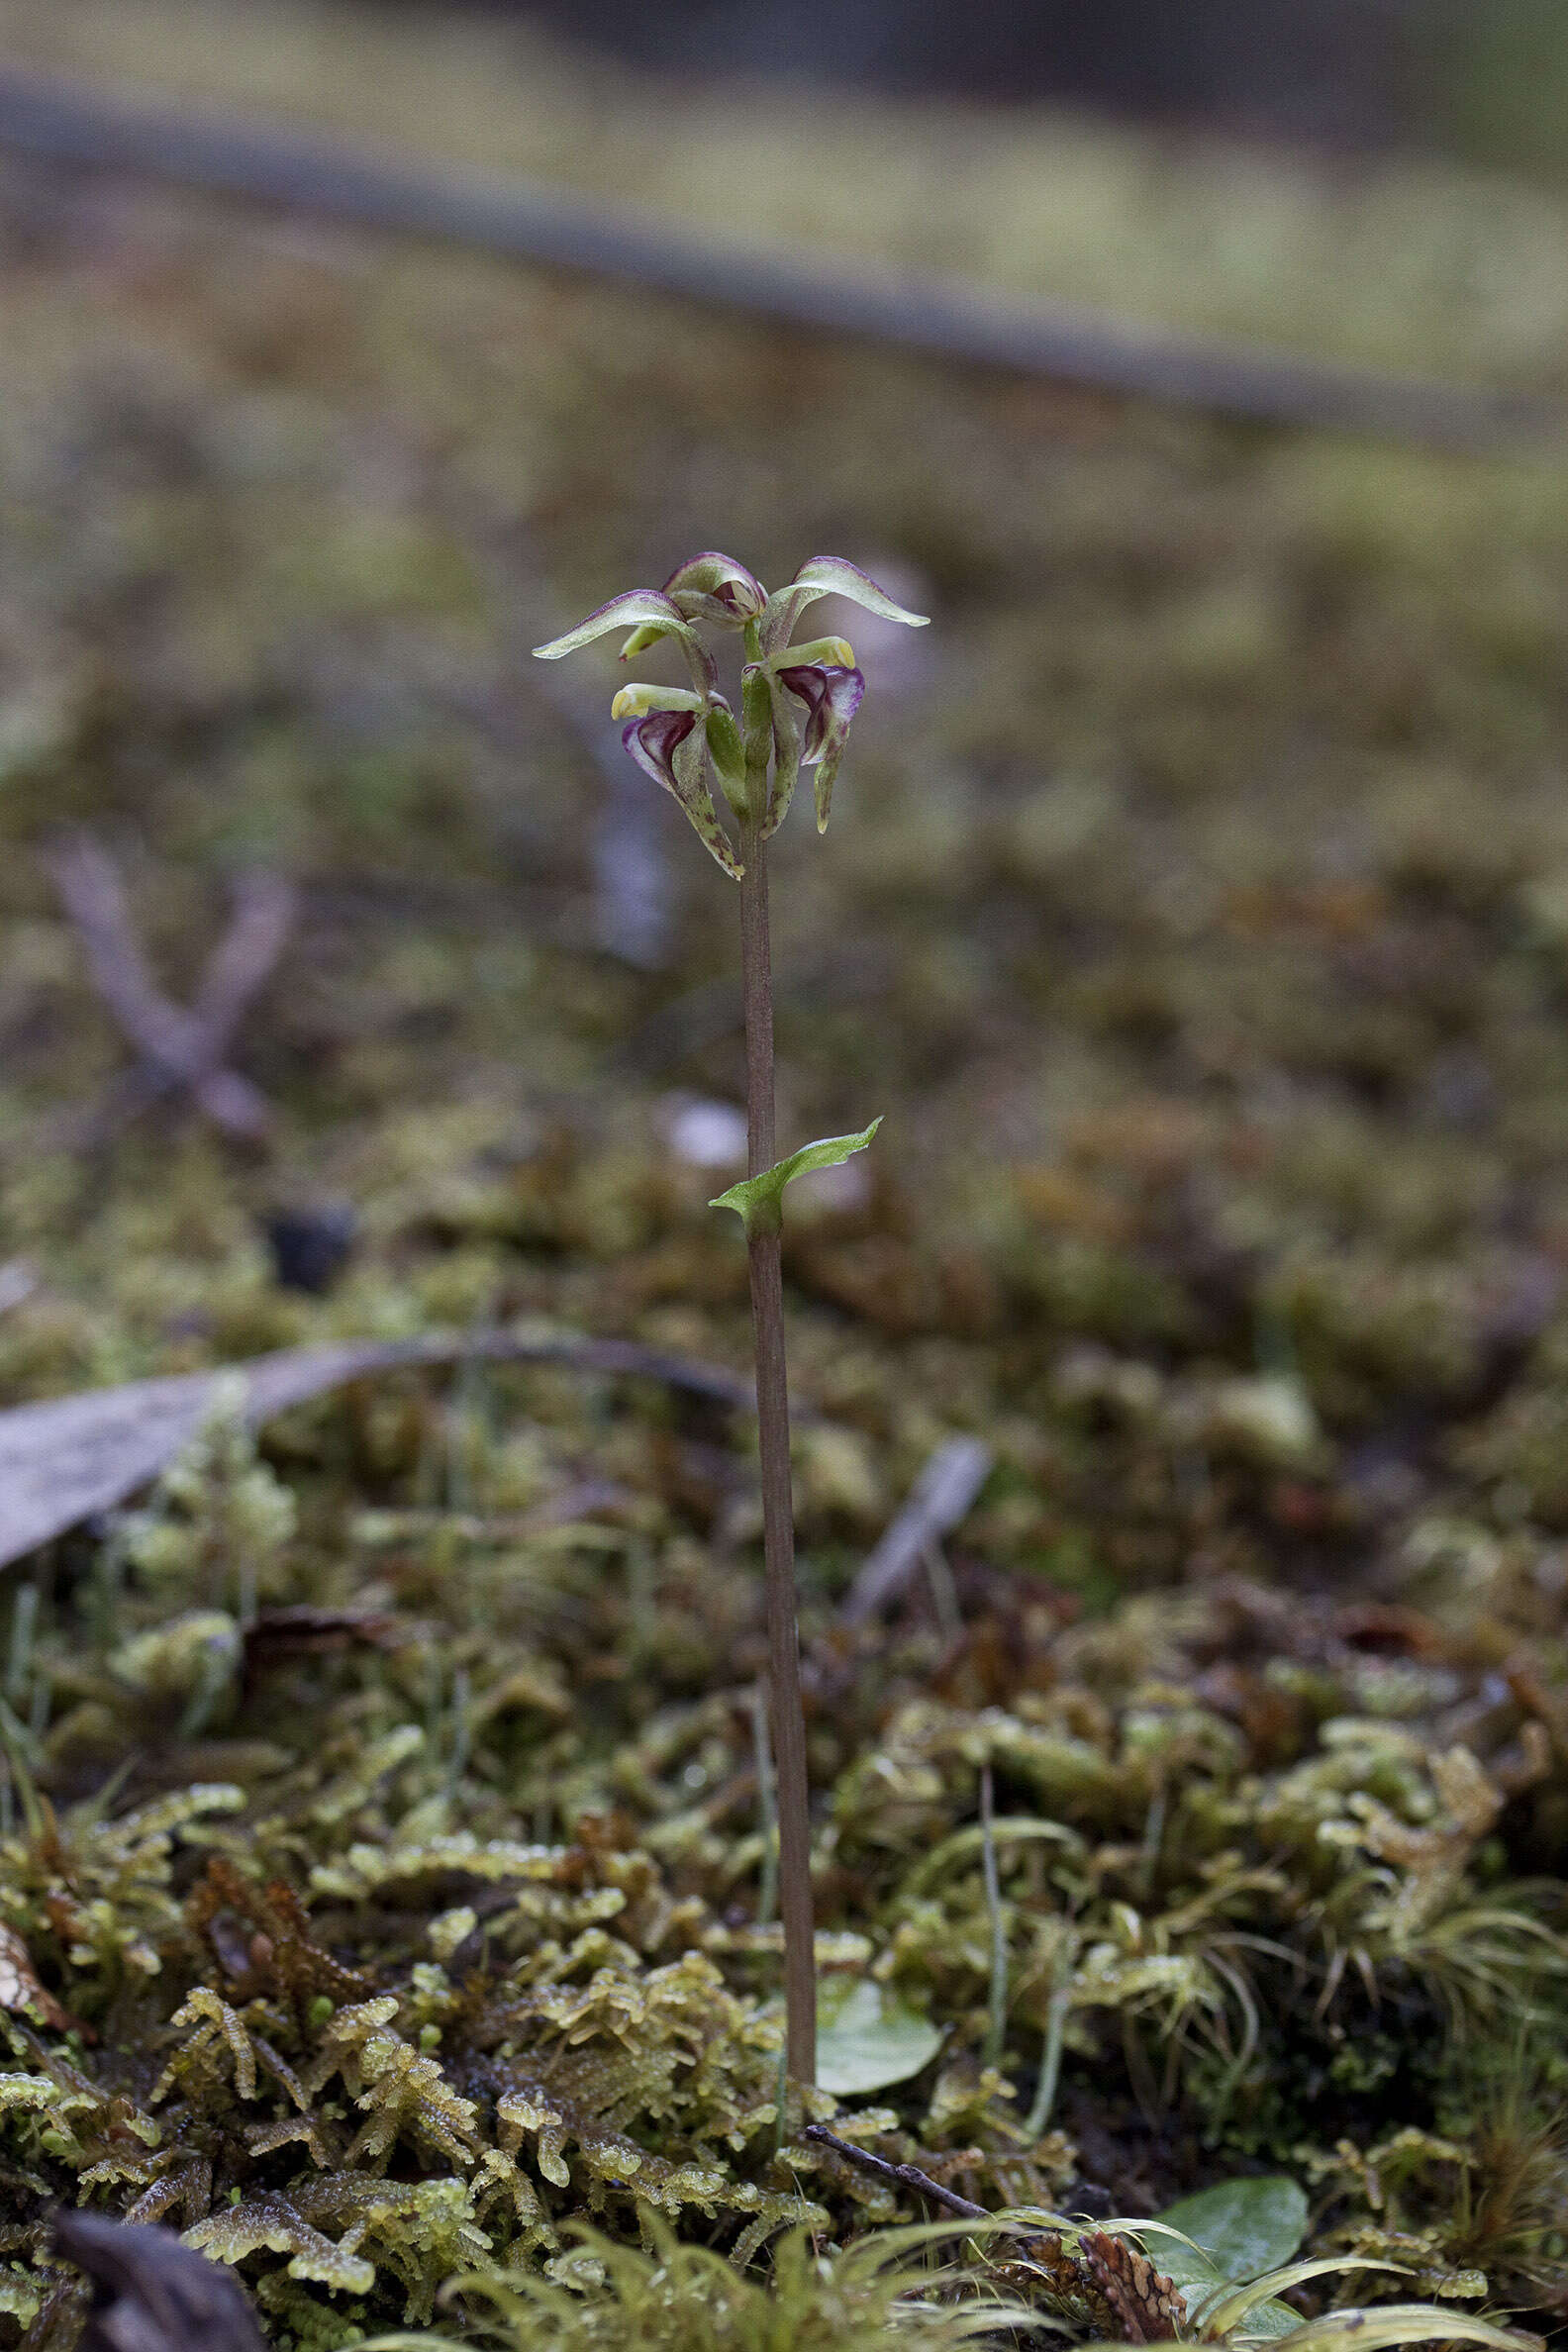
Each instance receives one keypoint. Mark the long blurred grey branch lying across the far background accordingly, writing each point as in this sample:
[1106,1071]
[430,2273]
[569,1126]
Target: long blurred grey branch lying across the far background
[272,163]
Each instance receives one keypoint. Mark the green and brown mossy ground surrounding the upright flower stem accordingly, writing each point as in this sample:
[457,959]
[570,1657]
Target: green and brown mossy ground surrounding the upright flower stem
[1198,916]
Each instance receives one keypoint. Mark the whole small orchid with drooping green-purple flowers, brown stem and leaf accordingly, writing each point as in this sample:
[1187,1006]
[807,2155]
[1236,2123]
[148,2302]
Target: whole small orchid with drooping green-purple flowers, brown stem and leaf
[796,711]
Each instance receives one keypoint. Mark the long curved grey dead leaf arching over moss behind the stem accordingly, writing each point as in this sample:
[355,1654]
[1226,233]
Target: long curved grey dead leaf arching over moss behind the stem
[72,1457]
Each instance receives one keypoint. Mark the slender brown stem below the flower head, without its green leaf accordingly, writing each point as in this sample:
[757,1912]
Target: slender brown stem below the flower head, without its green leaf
[777,1499]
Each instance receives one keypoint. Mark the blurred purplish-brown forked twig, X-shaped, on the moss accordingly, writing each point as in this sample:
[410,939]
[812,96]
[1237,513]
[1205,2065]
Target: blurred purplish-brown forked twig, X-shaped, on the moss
[182,1055]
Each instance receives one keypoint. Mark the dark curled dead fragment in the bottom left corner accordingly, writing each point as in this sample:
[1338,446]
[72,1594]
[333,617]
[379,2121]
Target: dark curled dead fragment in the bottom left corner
[152,2292]
